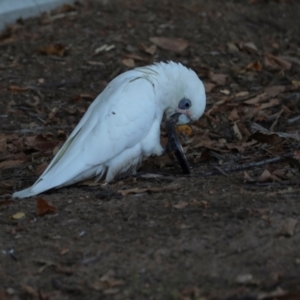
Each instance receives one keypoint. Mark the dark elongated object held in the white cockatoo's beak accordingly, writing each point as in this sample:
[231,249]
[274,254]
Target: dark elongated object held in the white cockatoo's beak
[173,146]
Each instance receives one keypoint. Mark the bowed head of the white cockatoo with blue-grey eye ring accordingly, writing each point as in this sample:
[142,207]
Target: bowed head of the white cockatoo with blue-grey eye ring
[188,97]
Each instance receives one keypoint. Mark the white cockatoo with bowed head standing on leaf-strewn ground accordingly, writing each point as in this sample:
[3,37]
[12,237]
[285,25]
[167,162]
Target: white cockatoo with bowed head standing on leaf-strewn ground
[122,126]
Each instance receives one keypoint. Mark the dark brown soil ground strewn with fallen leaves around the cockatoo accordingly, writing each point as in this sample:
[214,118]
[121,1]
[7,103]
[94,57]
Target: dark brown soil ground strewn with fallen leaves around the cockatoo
[194,237]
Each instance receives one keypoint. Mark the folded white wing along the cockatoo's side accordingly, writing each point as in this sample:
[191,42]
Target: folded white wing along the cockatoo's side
[118,119]
